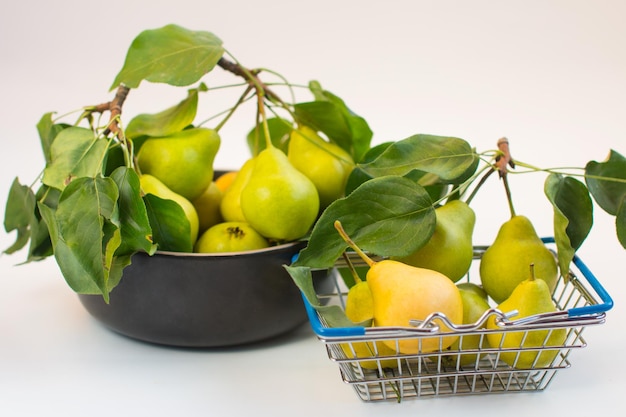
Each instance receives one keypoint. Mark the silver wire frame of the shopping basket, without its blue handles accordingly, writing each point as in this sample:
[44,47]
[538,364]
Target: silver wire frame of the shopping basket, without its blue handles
[378,376]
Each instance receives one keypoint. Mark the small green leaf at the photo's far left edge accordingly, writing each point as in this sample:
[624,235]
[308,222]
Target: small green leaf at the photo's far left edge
[19,214]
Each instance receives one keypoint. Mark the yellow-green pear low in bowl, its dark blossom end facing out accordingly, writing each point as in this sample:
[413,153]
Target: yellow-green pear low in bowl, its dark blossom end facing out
[230,237]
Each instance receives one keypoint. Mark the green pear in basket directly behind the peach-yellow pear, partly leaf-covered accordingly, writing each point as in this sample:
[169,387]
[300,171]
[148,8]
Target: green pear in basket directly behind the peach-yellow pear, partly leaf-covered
[450,249]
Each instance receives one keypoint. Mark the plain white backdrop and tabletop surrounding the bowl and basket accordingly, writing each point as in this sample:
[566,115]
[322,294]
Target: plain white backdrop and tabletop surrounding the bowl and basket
[549,75]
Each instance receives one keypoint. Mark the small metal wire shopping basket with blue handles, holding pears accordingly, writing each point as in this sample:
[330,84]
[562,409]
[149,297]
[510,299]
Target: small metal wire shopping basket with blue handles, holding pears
[369,359]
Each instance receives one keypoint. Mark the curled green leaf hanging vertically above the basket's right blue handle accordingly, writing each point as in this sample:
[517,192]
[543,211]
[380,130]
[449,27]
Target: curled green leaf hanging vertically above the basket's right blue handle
[573,215]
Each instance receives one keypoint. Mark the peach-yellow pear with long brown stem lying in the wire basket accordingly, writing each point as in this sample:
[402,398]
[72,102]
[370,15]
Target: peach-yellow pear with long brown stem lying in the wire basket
[402,292]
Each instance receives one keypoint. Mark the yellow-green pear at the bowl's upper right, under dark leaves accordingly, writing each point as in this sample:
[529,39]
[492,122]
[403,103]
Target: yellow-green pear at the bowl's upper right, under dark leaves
[324,163]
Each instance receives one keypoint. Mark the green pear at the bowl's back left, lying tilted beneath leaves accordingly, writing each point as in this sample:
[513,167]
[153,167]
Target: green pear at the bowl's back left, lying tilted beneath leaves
[183,161]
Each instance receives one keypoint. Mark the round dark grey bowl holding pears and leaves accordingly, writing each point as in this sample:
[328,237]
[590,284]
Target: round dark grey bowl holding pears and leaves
[206,300]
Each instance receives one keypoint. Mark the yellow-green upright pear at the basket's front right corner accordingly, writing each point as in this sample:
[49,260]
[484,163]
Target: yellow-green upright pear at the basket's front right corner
[531,296]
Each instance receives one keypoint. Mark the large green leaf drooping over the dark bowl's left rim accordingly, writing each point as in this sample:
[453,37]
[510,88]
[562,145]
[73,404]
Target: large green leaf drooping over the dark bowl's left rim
[83,233]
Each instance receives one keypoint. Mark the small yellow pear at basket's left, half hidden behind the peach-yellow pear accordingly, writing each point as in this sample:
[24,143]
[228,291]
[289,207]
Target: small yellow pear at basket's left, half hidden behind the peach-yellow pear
[359,309]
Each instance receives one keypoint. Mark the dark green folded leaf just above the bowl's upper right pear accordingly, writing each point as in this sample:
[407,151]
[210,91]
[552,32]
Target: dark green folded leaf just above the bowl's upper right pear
[331,115]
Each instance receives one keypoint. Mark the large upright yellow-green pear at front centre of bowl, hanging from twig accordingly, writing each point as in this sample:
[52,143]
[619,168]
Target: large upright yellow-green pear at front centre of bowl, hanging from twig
[279,201]
